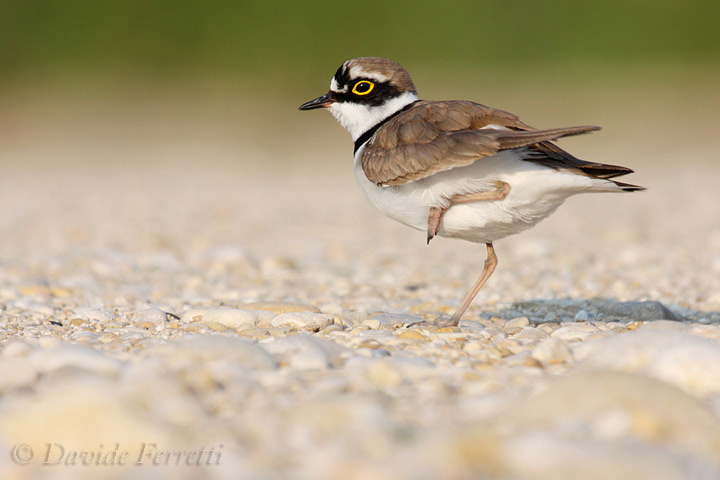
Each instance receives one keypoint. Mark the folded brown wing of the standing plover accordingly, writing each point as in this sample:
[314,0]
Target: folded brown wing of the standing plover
[431,137]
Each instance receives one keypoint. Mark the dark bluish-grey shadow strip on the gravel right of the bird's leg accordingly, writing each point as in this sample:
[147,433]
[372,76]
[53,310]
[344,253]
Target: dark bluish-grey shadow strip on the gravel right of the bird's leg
[604,310]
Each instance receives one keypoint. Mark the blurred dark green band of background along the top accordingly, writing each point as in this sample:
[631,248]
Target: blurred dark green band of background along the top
[291,43]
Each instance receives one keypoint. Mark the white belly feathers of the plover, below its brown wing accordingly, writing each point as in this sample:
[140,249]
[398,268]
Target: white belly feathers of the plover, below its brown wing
[535,192]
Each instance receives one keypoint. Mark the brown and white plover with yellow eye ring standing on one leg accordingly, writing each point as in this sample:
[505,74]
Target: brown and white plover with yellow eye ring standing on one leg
[456,168]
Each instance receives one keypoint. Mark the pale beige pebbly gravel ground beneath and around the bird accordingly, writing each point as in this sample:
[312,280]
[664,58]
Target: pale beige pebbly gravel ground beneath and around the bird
[188,310]
